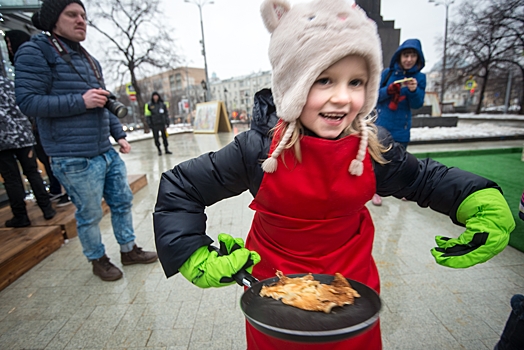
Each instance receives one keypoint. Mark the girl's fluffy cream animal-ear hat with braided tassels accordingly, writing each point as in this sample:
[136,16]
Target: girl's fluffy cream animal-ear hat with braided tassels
[308,38]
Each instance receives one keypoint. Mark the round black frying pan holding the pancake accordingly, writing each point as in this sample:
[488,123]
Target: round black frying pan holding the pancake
[276,319]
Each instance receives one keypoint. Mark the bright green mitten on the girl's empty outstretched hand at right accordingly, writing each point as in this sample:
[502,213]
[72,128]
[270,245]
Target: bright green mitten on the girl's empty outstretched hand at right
[488,222]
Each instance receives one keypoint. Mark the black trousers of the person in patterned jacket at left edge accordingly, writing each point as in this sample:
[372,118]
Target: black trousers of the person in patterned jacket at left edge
[13,184]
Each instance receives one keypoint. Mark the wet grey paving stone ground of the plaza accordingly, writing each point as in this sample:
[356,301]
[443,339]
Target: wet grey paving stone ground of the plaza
[60,304]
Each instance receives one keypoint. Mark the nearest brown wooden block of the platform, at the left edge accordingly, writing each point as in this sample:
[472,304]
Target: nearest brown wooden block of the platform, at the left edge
[23,248]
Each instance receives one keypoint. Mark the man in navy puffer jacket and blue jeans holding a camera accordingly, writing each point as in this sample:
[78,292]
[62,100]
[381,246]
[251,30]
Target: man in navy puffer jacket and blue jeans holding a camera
[61,85]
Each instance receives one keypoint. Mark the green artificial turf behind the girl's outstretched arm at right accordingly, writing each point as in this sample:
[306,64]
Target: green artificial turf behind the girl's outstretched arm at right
[504,166]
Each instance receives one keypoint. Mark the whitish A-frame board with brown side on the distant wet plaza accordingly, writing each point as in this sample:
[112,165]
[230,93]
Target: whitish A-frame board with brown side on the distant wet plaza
[211,118]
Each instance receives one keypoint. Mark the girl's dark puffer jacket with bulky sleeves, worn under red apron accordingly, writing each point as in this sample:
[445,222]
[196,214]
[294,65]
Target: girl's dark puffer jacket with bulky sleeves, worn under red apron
[187,189]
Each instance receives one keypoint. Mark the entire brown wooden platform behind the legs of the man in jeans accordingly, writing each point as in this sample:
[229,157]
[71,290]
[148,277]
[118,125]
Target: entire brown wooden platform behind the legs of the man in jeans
[23,248]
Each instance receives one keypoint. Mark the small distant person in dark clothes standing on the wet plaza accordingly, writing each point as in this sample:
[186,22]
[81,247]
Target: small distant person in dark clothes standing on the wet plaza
[157,118]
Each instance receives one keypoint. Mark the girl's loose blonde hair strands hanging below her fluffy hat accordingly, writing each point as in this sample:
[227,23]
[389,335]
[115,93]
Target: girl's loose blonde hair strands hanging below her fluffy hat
[375,148]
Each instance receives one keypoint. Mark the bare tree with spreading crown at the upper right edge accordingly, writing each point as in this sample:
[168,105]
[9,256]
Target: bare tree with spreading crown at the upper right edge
[487,37]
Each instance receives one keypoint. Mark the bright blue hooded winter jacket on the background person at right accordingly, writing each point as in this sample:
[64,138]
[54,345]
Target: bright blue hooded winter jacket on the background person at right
[398,122]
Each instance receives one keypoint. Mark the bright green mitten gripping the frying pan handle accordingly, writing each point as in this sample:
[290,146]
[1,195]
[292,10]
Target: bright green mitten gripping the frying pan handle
[206,268]
